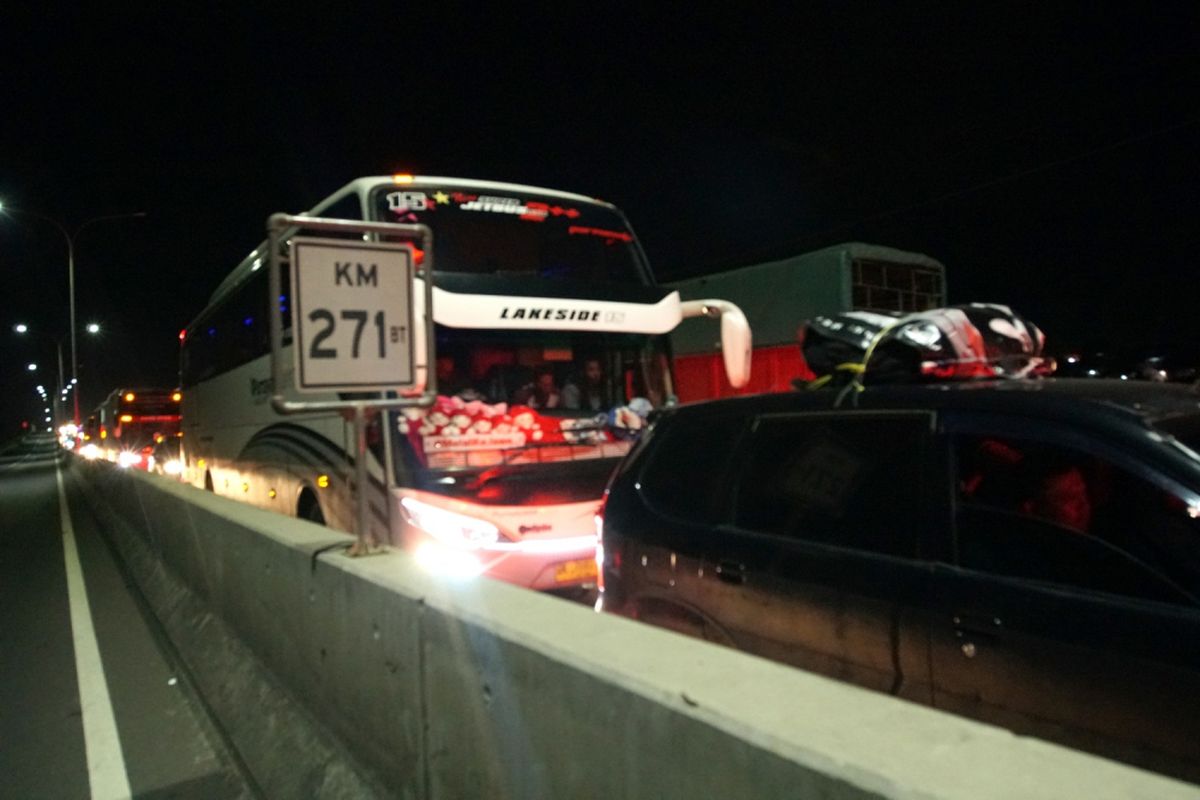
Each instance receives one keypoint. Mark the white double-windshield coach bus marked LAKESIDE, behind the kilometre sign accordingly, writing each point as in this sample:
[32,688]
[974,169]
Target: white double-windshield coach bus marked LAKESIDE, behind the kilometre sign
[553,348]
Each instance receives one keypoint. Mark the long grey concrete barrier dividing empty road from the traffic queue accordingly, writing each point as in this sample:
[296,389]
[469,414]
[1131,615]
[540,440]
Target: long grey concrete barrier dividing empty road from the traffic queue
[340,677]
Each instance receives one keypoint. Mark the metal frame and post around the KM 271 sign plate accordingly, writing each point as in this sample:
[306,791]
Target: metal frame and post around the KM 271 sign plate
[277,225]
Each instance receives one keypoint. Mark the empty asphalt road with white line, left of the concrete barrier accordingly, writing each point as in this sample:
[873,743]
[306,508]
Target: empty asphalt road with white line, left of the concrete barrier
[92,701]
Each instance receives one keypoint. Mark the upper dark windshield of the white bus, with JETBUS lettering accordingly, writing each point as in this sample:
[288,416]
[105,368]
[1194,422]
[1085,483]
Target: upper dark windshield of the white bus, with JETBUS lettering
[518,233]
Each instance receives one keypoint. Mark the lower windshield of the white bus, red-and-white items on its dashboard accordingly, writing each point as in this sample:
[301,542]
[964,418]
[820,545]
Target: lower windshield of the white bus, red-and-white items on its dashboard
[512,404]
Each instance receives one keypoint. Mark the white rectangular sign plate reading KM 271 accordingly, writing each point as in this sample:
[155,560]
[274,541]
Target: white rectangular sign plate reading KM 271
[352,315]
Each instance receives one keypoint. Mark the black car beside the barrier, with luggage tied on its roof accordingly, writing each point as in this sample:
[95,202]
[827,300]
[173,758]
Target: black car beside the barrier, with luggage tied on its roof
[1027,552]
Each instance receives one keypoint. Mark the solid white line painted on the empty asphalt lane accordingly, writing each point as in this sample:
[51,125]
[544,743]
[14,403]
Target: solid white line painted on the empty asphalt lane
[106,762]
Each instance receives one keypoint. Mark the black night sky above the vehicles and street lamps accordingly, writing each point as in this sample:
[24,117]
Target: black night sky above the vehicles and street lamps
[1048,157]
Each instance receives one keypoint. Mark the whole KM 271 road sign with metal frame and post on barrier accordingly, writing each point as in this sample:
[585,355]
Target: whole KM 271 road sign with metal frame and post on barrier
[353,317]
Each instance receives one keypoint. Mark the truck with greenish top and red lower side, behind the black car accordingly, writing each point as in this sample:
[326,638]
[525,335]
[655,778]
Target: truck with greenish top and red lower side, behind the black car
[779,297]
